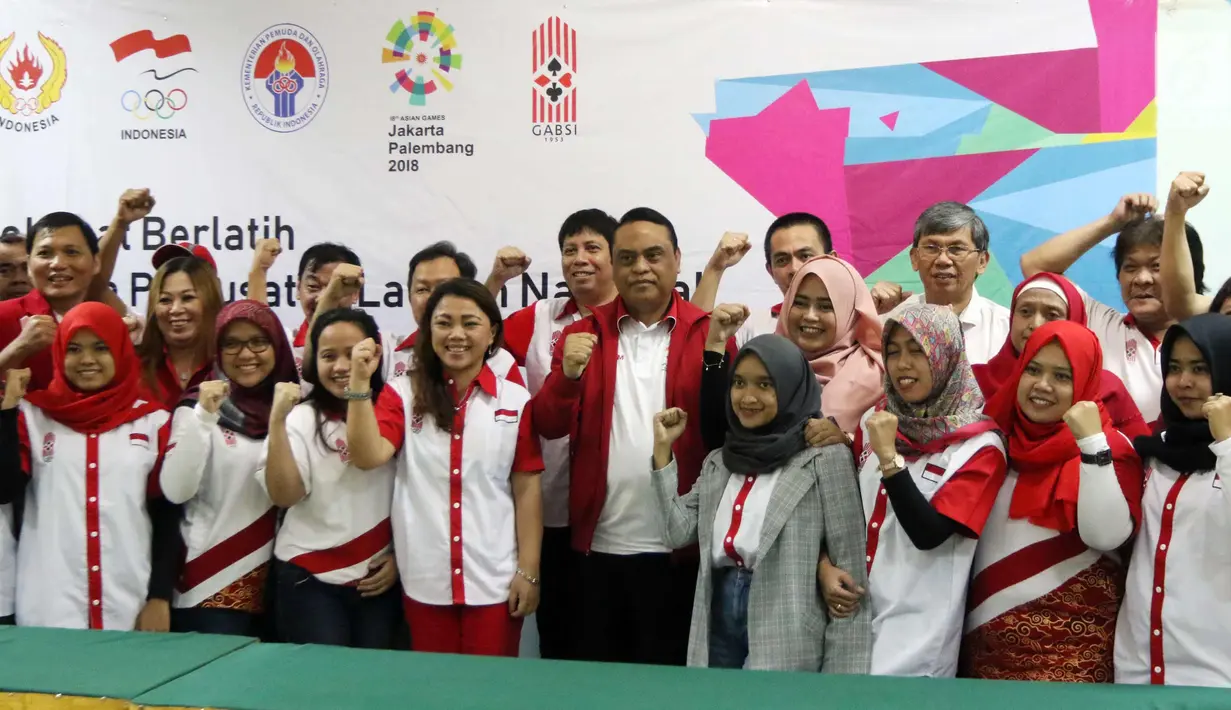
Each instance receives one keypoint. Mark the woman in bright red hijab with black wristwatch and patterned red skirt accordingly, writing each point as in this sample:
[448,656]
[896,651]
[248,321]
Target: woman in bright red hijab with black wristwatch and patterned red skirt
[1049,573]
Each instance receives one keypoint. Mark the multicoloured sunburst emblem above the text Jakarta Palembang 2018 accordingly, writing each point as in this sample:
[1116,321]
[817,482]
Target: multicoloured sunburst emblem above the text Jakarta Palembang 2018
[429,50]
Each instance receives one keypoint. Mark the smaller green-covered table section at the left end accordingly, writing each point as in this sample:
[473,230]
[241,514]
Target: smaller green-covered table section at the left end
[103,664]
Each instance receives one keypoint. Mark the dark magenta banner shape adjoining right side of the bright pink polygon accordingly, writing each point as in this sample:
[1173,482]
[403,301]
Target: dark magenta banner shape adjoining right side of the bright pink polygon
[886,199]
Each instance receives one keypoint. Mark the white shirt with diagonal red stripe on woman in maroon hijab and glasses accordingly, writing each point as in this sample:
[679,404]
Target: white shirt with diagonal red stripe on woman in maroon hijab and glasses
[228,520]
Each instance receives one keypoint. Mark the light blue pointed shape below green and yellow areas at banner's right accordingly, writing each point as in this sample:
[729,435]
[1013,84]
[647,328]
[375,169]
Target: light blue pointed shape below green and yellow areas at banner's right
[1065,205]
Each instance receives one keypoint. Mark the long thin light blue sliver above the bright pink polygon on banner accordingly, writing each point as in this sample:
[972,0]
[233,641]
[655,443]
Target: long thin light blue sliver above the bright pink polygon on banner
[907,79]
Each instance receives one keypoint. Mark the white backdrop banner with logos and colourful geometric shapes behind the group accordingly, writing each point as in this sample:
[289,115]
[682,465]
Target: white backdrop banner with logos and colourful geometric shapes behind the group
[390,126]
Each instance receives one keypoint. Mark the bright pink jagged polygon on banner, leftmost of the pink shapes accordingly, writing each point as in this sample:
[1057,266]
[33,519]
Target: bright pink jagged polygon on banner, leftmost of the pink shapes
[790,158]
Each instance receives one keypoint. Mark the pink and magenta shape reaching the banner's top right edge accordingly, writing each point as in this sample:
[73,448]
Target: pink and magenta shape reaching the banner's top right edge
[1094,90]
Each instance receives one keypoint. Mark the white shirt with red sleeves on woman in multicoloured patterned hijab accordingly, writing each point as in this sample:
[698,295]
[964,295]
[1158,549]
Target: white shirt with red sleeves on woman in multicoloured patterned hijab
[919,597]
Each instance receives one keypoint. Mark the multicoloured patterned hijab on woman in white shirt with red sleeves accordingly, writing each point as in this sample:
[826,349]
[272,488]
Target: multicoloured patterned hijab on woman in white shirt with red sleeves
[953,413]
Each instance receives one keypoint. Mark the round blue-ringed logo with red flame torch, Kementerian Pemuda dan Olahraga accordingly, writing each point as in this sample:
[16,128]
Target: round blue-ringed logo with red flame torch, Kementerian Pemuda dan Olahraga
[286,78]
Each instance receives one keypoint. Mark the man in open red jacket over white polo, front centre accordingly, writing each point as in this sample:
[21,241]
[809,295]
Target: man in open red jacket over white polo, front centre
[611,373]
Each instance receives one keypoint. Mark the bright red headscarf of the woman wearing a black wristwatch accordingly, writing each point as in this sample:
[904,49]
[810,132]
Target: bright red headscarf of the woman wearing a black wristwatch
[1046,457]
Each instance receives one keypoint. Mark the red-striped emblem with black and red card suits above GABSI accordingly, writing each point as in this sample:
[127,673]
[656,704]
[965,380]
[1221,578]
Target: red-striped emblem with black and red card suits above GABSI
[555,66]
